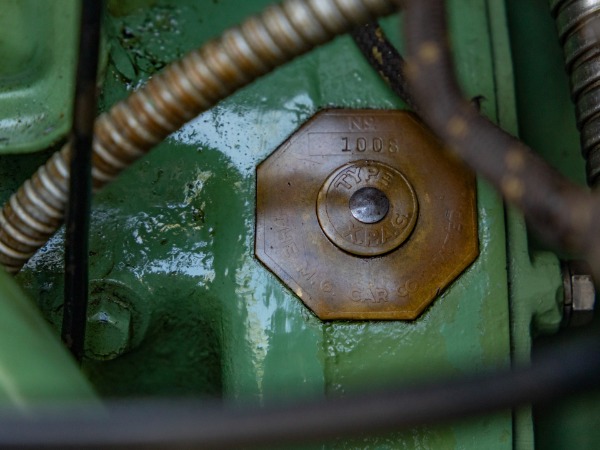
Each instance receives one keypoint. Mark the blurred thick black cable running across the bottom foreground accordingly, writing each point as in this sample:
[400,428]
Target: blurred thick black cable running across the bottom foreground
[573,367]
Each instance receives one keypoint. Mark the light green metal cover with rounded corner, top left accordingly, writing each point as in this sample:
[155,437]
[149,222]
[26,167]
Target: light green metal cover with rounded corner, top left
[37,50]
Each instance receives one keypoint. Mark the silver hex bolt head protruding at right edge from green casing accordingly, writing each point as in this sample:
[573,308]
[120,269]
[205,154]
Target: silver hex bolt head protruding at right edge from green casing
[580,294]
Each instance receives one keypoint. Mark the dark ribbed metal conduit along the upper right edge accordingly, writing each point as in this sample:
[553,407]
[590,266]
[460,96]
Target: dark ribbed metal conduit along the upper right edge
[578,23]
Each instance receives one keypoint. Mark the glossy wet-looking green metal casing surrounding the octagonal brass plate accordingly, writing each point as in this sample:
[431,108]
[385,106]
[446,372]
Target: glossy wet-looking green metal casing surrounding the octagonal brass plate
[181,307]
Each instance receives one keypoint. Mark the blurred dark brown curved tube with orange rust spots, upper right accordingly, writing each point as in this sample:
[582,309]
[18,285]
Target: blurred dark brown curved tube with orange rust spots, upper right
[565,215]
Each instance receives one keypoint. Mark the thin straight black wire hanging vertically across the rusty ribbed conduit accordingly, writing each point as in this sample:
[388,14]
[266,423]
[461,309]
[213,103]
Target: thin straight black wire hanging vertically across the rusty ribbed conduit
[78,208]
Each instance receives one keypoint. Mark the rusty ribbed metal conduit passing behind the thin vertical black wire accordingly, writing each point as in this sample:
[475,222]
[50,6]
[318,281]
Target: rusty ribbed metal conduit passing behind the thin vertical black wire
[181,92]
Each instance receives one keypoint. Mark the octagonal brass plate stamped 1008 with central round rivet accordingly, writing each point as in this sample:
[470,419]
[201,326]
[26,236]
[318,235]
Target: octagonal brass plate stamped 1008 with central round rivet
[364,216]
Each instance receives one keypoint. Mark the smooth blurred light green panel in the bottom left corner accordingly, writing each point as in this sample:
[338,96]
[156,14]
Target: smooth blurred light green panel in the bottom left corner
[35,368]
